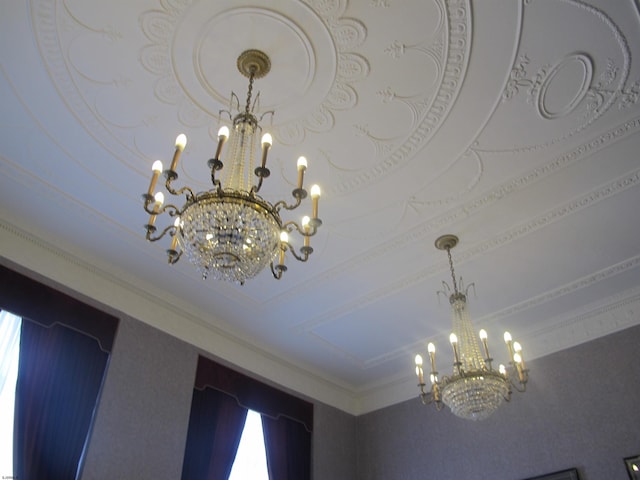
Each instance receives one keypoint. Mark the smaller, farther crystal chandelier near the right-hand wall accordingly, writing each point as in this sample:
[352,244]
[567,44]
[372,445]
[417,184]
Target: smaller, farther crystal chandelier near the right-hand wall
[475,389]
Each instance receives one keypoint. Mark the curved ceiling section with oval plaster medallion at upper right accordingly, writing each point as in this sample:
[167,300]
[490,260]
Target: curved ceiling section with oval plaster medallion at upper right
[559,84]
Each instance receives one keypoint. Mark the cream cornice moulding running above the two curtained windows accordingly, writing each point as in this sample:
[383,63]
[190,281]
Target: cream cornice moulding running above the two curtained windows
[128,298]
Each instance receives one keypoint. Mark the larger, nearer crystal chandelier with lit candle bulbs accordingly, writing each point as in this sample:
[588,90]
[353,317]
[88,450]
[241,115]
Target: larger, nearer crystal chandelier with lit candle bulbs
[229,232]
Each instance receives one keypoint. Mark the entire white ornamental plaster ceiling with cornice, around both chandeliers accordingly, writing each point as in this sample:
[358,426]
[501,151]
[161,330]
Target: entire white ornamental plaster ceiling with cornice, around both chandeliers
[513,125]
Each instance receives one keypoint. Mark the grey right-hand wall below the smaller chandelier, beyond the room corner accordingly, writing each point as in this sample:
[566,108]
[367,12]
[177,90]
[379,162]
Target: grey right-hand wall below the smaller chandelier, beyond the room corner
[581,409]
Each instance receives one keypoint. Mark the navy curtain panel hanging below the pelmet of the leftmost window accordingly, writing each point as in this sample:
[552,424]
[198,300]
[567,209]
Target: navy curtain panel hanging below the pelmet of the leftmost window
[60,374]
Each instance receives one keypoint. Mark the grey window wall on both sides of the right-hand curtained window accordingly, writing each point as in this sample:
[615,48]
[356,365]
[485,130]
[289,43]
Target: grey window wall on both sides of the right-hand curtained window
[141,422]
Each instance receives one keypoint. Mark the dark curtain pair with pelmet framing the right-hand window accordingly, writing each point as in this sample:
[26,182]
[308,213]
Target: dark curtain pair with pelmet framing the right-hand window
[287,424]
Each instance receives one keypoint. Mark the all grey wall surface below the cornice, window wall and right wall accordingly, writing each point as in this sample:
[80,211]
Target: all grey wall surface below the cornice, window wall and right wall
[581,409]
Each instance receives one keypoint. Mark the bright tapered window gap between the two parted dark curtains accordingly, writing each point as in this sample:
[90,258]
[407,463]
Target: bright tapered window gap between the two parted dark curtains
[251,458]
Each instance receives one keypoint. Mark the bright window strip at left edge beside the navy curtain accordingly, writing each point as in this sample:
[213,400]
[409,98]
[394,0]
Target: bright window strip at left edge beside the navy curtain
[9,354]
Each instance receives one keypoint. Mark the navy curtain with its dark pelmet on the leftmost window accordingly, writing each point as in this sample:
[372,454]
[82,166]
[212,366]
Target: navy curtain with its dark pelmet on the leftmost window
[64,352]
